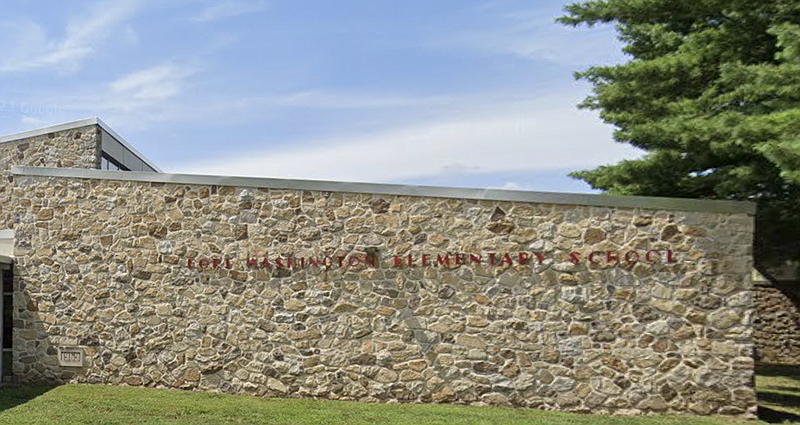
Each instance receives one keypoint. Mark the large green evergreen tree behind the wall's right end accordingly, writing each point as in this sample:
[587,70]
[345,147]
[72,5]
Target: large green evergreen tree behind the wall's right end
[711,93]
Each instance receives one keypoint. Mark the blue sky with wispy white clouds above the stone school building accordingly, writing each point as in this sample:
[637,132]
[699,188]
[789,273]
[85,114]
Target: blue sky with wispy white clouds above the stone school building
[446,92]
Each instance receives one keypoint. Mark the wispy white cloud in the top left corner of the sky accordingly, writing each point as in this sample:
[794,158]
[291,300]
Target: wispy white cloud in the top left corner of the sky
[27,45]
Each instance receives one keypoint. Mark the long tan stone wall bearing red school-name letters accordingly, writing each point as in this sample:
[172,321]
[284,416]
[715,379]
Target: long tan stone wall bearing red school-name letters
[103,264]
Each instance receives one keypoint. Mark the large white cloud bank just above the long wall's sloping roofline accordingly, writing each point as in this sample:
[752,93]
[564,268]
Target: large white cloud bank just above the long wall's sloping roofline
[518,136]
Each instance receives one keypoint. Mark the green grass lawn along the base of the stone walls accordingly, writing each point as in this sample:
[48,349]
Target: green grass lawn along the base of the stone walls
[779,391]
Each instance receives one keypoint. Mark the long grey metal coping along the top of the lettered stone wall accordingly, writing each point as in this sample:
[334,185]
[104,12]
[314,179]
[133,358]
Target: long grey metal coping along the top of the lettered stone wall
[646,202]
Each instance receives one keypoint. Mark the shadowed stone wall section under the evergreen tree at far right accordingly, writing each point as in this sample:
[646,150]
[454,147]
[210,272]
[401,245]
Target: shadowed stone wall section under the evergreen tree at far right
[777,323]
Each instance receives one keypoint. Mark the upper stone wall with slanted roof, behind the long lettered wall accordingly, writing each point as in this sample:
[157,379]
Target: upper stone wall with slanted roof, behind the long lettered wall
[75,148]
